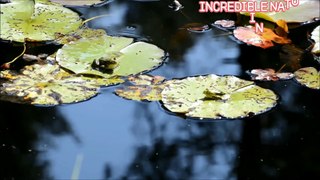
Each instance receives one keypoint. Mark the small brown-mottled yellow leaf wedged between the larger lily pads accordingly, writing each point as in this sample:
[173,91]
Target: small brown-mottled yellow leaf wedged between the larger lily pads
[145,87]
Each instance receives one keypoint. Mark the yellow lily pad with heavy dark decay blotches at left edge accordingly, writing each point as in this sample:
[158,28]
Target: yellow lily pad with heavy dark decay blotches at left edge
[45,85]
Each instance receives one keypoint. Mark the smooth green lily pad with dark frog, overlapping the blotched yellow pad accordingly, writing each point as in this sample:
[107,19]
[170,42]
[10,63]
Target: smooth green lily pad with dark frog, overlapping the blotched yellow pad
[130,58]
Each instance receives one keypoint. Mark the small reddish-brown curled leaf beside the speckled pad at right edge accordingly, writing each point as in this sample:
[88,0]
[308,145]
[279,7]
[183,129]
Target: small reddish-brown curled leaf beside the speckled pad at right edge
[269,75]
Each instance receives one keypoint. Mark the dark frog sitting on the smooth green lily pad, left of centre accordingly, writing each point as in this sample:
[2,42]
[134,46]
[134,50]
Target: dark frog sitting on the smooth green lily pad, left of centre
[107,63]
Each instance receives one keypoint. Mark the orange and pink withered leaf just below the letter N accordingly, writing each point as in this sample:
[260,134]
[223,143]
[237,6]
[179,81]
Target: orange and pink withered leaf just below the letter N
[263,40]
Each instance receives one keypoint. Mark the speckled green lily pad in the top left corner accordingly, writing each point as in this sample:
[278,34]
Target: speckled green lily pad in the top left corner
[39,21]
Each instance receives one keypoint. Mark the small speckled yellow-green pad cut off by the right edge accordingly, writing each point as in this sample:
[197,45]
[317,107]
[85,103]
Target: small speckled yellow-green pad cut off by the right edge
[308,76]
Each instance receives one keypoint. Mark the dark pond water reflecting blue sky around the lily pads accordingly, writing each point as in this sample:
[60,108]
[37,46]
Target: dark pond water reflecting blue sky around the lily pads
[108,137]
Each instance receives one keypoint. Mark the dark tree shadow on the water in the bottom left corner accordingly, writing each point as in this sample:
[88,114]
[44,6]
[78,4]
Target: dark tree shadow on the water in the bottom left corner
[25,135]
